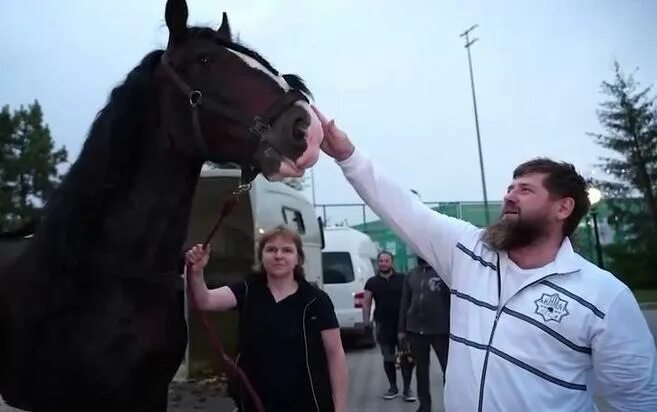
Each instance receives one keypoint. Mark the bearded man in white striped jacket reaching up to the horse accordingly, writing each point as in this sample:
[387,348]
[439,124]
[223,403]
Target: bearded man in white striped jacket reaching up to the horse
[534,326]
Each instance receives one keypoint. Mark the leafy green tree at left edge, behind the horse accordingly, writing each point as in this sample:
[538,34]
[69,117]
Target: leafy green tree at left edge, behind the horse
[28,165]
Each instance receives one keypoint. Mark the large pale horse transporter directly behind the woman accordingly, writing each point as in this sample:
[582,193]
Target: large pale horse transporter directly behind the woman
[266,205]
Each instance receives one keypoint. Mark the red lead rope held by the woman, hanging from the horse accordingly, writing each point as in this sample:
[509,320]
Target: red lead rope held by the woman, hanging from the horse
[217,347]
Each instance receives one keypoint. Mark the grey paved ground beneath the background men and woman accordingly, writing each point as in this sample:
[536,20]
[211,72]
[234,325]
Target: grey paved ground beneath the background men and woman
[367,384]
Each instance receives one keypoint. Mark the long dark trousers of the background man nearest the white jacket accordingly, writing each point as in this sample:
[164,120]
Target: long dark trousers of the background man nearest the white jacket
[421,349]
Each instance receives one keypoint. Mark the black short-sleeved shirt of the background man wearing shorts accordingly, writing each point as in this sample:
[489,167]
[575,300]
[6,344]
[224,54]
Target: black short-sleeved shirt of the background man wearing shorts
[386,293]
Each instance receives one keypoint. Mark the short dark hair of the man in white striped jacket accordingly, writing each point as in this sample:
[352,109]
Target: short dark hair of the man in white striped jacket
[561,180]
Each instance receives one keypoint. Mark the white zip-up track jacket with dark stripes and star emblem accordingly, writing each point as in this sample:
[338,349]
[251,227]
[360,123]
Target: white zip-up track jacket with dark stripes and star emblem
[560,339]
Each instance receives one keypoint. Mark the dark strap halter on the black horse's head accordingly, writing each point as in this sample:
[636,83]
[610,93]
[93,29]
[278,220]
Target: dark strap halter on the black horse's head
[258,127]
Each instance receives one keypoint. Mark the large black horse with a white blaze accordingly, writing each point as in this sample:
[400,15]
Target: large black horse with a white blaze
[91,314]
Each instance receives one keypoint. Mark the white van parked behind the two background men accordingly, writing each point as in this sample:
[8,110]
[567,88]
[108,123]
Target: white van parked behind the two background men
[348,262]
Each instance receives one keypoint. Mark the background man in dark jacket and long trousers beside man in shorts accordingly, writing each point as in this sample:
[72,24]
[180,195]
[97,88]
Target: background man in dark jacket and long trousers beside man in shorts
[424,322]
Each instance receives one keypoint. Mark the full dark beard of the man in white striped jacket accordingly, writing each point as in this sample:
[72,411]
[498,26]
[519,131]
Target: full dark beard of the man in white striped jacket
[509,234]
